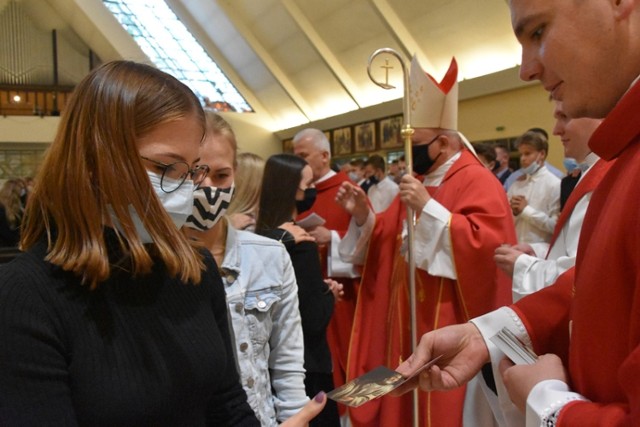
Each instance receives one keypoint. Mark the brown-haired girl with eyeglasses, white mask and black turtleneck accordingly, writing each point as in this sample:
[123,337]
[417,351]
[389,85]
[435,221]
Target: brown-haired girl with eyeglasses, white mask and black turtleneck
[112,316]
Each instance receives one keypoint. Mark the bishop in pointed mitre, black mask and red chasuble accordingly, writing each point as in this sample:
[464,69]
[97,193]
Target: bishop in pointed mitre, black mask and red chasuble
[462,216]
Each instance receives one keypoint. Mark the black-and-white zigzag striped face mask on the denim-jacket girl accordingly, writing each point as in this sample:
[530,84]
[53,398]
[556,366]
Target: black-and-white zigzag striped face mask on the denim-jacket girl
[209,205]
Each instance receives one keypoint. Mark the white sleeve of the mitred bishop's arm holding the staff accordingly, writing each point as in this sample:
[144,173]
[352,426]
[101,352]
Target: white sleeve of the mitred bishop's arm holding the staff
[433,241]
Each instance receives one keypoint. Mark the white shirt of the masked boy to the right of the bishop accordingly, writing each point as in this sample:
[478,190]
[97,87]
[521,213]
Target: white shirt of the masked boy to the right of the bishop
[537,220]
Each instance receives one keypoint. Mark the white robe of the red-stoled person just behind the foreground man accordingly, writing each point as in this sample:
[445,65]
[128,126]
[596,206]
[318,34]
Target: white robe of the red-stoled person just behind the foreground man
[530,273]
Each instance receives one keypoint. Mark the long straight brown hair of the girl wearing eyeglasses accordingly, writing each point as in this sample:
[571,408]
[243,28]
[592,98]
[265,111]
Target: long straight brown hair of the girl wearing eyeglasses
[93,169]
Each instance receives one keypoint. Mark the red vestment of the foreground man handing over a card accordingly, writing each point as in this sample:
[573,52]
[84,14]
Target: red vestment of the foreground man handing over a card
[603,317]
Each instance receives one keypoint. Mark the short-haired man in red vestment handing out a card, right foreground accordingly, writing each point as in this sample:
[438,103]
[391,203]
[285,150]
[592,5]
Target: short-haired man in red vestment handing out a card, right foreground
[586,327]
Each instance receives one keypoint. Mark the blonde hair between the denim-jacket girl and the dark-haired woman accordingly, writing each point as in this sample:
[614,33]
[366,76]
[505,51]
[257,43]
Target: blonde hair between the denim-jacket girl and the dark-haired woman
[248,181]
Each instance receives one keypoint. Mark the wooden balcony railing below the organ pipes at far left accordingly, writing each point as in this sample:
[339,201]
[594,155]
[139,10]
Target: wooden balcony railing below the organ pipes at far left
[33,100]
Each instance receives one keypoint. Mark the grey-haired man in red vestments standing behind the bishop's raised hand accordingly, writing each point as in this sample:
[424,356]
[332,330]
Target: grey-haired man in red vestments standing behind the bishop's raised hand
[313,146]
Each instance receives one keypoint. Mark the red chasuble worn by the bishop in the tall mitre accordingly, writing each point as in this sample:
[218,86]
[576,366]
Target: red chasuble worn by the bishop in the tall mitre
[481,220]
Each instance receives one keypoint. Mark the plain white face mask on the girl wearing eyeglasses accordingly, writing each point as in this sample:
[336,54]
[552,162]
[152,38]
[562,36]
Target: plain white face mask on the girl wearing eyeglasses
[178,204]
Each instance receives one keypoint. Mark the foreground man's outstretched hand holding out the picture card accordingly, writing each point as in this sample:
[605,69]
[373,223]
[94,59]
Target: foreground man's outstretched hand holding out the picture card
[464,352]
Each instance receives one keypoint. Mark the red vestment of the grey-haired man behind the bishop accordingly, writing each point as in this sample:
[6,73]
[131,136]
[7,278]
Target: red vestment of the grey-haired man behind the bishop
[337,219]
